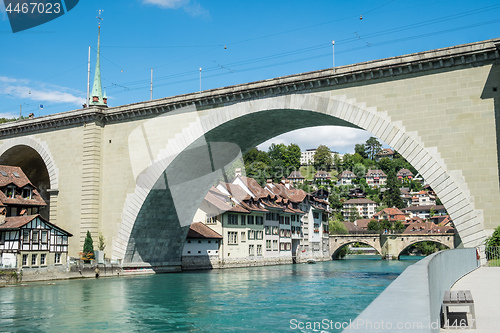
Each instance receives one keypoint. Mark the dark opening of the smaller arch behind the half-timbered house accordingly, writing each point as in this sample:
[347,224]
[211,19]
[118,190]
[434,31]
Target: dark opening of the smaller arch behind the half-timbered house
[32,164]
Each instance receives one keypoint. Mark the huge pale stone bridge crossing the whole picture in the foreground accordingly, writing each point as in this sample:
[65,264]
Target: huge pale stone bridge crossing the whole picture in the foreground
[137,173]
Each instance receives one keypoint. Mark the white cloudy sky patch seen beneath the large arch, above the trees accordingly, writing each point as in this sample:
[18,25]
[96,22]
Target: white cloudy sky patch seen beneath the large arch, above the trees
[337,138]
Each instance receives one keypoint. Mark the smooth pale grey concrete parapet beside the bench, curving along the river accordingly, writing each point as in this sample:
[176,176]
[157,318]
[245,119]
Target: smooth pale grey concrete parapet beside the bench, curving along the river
[412,302]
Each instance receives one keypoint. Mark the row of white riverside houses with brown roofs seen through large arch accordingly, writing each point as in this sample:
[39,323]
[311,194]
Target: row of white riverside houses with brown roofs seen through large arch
[243,224]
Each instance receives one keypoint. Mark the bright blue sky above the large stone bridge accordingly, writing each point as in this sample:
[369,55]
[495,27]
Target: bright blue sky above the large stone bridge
[232,42]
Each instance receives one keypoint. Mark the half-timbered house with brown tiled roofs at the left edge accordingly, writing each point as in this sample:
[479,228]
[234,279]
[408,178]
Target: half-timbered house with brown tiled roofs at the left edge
[27,240]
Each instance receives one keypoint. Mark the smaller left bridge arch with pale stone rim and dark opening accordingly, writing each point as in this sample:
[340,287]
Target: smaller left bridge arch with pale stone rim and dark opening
[35,159]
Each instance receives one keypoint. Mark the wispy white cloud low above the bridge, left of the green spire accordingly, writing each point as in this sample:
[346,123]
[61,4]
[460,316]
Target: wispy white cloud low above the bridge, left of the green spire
[38,91]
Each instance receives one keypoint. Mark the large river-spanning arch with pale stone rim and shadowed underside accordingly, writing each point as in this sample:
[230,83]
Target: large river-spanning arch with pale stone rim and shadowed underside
[185,169]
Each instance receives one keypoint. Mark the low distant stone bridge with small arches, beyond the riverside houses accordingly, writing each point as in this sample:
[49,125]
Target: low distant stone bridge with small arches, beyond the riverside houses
[387,245]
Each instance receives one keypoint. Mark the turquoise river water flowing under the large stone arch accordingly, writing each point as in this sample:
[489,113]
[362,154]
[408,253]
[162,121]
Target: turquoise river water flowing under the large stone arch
[287,298]
